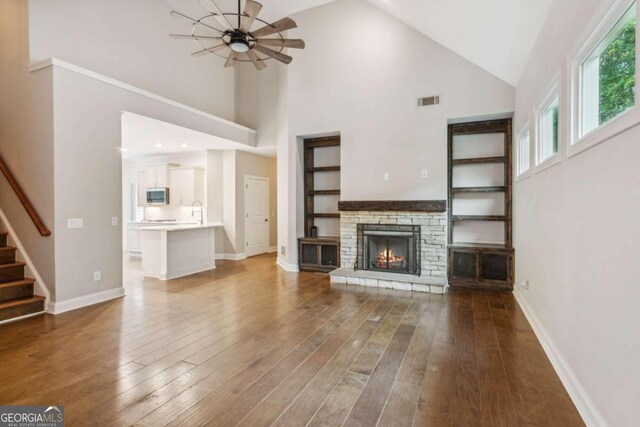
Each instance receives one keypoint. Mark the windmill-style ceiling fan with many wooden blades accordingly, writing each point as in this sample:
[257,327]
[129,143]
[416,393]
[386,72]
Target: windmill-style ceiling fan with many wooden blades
[237,41]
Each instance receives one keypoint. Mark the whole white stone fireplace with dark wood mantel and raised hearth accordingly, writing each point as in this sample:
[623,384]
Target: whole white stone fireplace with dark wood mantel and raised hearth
[393,244]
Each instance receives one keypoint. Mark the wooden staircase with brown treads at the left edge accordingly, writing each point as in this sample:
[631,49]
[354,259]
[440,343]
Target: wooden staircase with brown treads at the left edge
[16,292]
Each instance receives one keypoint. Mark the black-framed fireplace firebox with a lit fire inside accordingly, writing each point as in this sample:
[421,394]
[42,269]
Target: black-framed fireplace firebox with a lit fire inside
[389,248]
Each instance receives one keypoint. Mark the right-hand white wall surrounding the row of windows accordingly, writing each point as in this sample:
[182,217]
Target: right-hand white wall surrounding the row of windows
[577,241]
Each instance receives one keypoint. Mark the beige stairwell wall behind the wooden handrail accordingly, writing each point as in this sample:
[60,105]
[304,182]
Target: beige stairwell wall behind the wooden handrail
[26,137]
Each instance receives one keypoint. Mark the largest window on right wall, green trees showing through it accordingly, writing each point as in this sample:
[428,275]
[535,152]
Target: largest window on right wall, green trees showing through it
[608,75]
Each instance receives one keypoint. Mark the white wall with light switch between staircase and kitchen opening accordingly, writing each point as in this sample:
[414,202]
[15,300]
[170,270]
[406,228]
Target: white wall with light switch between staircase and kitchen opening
[88,175]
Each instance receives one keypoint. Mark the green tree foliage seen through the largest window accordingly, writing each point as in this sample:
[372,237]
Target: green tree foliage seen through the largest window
[618,74]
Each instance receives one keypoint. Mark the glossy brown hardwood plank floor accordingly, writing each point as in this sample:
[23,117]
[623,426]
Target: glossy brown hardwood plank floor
[251,345]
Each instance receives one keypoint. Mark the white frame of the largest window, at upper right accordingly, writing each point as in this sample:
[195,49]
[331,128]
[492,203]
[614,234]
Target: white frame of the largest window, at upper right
[606,22]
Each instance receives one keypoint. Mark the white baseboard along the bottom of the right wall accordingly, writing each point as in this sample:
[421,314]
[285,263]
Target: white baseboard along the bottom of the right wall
[587,409]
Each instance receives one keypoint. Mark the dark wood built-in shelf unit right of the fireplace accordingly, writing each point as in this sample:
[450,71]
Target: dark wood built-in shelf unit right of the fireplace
[481,265]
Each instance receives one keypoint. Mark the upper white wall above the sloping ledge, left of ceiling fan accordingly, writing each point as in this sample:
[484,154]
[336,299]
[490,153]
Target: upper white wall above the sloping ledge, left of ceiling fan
[129,41]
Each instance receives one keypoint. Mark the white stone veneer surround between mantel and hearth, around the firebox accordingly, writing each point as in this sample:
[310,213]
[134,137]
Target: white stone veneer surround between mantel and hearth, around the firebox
[433,243]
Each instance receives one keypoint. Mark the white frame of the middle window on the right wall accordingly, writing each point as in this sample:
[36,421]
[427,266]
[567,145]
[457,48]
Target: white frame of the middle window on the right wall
[552,93]
